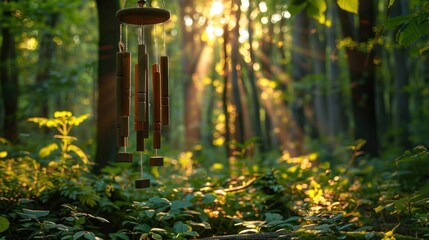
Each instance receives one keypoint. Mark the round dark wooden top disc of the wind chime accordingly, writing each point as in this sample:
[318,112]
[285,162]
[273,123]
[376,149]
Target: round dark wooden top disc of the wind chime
[143,15]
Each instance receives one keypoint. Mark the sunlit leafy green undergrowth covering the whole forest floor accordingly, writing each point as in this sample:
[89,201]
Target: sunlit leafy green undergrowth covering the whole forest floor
[52,194]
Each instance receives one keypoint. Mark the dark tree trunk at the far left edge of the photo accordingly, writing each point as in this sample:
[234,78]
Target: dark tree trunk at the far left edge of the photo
[9,83]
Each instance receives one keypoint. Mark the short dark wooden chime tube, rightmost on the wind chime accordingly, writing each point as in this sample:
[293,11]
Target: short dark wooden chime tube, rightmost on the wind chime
[164,88]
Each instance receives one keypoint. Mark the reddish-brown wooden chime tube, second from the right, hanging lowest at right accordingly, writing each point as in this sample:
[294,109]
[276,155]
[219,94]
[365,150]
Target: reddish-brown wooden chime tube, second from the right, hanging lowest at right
[156,92]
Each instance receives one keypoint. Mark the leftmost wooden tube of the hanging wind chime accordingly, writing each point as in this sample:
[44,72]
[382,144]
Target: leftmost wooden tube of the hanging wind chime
[120,140]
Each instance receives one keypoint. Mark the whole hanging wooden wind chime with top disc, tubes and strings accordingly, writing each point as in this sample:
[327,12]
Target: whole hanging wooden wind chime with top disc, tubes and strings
[141,16]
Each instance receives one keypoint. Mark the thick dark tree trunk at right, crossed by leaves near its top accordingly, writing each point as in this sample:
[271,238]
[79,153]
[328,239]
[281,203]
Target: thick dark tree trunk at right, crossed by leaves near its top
[362,76]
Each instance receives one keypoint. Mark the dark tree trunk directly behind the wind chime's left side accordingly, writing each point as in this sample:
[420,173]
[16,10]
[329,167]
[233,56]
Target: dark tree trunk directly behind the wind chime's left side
[106,115]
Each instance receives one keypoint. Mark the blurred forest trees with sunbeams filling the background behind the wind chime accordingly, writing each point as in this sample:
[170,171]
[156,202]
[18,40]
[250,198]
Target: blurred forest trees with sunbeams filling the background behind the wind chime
[248,78]
